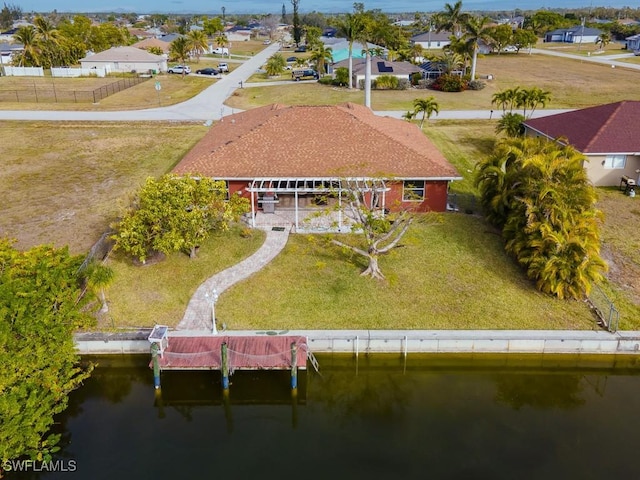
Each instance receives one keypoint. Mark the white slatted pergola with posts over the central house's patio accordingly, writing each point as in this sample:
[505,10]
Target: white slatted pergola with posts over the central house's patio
[318,185]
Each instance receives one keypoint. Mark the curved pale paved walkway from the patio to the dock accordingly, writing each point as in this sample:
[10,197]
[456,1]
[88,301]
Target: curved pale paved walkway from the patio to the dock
[199,312]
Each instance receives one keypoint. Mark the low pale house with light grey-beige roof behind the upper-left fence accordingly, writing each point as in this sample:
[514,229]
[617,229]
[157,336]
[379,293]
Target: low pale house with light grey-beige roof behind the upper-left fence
[126,59]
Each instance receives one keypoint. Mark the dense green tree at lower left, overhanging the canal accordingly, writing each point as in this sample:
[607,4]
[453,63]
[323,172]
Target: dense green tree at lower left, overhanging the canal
[41,303]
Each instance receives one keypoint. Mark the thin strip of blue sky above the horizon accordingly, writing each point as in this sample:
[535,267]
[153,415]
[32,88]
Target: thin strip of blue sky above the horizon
[214,7]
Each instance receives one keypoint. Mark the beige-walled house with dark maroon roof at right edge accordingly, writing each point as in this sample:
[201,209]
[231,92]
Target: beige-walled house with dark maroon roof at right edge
[608,135]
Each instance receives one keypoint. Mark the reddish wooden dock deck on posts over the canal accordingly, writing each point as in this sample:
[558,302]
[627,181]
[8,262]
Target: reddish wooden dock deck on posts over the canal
[244,353]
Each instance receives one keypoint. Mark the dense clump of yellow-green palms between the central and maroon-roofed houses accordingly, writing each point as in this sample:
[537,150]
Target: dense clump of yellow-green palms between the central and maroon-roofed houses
[538,193]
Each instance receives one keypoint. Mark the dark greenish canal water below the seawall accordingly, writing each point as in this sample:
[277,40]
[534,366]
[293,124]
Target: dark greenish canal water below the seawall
[380,417]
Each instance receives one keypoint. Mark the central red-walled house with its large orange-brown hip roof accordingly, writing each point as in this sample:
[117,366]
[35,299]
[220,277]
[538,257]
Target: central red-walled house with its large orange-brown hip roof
[321,146]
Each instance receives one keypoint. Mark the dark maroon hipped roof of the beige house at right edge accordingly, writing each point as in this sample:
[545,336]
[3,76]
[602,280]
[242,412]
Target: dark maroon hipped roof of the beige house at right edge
[610,128]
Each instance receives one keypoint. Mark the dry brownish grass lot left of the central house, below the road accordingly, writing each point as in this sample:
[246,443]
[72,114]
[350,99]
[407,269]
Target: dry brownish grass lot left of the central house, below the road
[63,183]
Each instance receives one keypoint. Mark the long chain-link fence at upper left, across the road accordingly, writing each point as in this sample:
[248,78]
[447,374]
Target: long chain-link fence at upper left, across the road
[49,93]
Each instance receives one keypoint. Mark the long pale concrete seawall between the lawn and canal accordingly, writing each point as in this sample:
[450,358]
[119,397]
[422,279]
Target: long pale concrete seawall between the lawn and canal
[401,341]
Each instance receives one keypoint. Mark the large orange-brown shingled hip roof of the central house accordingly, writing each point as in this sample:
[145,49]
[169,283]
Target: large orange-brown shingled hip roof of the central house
[314,141]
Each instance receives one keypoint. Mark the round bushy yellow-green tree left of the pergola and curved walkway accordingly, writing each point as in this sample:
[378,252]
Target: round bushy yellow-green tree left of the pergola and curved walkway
[176,214]
